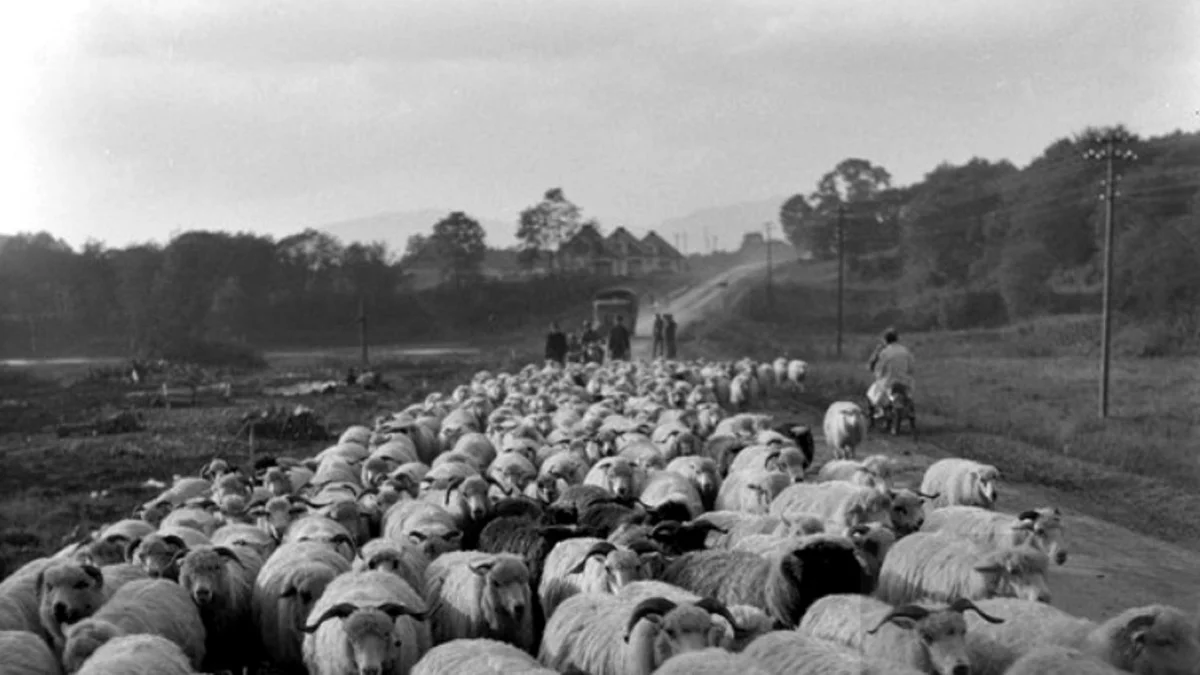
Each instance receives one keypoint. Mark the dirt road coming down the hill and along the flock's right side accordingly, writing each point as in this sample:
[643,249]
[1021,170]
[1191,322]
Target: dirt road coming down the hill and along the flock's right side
[1109,569]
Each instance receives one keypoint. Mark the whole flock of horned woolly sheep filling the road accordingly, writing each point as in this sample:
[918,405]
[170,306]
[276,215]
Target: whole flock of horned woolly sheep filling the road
[617,519]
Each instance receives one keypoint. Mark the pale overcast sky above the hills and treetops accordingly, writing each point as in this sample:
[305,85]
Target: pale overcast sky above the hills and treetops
[133,120]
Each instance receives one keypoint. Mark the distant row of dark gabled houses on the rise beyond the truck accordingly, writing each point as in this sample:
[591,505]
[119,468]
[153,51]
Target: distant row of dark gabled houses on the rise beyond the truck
[621,254]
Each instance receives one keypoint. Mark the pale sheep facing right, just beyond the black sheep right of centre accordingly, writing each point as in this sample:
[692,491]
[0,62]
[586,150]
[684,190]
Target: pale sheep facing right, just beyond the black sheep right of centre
[836,501]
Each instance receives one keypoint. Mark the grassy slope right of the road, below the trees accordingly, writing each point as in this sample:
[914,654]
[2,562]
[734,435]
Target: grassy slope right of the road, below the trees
[1023,398]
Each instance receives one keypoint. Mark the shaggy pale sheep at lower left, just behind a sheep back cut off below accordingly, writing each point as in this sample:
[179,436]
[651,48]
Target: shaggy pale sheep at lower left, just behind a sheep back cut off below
[157,607]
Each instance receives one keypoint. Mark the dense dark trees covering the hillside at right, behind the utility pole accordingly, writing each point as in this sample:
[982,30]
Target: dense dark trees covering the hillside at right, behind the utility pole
[987,242]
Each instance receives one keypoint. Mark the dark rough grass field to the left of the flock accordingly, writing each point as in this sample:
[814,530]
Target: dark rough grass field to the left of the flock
[50,486]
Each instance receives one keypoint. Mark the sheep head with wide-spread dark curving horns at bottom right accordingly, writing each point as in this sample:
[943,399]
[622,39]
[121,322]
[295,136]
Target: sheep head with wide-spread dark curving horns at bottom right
[941,634]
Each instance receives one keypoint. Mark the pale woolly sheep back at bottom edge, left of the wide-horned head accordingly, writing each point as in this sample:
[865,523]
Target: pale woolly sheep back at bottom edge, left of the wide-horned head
[791,653]
